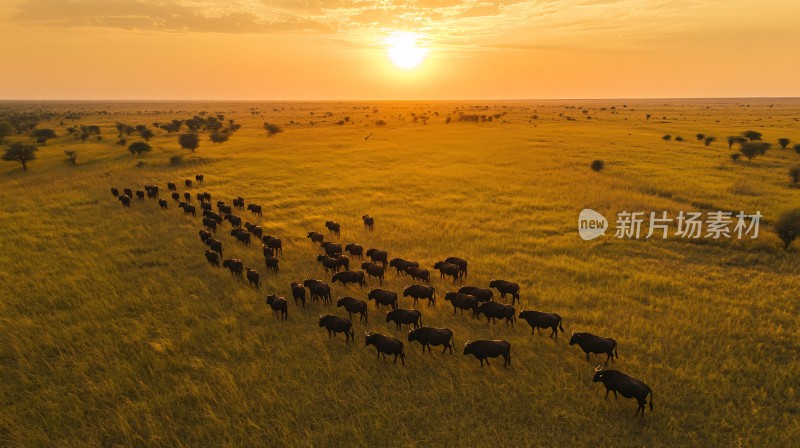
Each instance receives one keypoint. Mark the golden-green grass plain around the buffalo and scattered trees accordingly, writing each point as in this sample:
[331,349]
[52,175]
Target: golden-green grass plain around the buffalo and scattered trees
[117,332]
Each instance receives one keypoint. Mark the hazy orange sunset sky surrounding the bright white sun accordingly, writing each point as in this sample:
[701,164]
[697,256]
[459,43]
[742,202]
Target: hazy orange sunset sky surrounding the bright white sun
[329,50]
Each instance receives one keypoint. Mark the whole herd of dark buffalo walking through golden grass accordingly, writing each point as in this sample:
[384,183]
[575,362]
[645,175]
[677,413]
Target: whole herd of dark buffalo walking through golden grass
[477,301]
